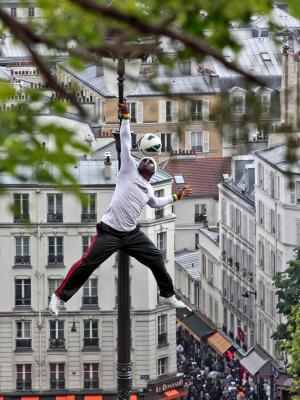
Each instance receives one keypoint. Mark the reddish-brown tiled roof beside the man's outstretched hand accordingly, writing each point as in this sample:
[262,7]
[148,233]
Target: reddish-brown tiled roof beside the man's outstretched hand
[203,174]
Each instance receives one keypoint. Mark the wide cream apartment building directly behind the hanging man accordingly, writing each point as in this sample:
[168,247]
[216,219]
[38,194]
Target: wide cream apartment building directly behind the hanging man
[43,232]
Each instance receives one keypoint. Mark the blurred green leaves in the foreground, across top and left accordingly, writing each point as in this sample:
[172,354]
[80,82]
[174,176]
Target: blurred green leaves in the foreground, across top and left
[81,28]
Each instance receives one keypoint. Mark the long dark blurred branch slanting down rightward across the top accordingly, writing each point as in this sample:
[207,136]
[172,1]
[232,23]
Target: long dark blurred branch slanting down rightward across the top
[150,29]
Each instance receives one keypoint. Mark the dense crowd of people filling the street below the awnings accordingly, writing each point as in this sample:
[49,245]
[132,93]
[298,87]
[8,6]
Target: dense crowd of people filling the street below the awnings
[208,375]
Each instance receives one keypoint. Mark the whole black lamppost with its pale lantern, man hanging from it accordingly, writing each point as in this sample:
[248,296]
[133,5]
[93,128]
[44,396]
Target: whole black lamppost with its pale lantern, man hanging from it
[114,69]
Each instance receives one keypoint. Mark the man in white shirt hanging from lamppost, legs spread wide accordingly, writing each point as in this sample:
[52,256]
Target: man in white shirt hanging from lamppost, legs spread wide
[118,228]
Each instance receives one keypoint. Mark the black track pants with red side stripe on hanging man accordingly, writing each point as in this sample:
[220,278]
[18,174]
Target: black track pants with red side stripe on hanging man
[106,242]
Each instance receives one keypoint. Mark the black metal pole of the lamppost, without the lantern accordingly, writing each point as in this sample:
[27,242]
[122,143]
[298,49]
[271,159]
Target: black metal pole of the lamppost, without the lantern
[124,370]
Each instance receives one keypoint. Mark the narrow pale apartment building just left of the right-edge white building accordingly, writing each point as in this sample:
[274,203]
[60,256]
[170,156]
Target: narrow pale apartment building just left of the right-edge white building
[237,247]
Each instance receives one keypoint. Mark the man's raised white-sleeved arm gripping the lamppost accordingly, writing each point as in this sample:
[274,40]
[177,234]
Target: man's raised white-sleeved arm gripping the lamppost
[127,160]
